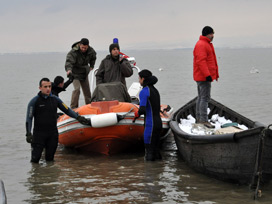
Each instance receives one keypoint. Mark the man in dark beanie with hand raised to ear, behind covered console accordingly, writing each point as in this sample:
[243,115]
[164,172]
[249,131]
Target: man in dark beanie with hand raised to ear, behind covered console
[113,68]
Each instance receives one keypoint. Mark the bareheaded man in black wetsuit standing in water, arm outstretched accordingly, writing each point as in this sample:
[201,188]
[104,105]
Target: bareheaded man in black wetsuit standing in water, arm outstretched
[43,108]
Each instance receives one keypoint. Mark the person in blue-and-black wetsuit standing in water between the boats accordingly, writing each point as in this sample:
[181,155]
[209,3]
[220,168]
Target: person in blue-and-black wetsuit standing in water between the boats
[150,106]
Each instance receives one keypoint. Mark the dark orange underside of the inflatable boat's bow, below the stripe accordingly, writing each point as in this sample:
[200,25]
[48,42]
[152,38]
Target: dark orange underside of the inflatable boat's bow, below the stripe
[110,140]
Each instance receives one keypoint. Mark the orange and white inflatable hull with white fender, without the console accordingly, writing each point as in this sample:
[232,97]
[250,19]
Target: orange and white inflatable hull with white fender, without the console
[112,129]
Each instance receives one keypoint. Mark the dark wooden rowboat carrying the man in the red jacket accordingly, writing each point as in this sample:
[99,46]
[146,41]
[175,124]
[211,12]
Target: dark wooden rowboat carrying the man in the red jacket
[241,157]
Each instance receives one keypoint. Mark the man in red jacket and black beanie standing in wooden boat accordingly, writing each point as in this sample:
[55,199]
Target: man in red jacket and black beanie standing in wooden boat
[205,71]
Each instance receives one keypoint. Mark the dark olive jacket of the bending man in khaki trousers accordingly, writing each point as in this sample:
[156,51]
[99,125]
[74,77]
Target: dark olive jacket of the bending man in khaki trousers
[80,63]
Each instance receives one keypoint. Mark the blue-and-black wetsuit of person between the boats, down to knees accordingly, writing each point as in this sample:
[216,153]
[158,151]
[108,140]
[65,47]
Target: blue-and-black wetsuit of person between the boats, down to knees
[150,106]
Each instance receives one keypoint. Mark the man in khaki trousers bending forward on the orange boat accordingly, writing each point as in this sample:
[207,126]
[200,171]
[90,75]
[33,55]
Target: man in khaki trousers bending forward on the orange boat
[79,62]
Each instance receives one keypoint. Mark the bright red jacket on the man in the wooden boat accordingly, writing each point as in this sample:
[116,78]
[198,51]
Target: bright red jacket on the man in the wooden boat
[205,63]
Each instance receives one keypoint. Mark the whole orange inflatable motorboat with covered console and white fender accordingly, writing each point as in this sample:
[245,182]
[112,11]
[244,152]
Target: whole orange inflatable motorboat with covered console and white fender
[112,129]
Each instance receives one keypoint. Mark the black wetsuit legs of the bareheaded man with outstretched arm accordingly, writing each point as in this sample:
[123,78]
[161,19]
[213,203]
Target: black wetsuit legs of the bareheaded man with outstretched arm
[47,141]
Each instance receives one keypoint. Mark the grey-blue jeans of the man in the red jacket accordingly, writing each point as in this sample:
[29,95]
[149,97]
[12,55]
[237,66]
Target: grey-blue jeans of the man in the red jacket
[204,96]
